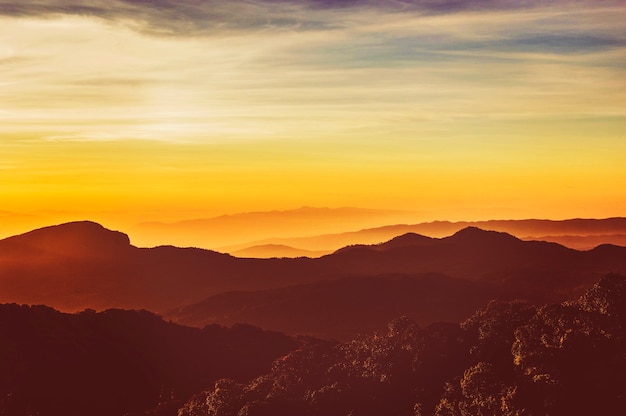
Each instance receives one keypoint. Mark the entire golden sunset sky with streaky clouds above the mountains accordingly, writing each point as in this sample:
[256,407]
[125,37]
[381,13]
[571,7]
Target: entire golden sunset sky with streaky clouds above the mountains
[126,111]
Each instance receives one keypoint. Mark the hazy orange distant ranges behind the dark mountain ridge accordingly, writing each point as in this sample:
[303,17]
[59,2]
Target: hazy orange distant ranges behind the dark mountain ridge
[315,231]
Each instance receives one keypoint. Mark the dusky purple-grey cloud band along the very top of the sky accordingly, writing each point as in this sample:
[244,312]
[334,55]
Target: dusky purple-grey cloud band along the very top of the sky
[193,17]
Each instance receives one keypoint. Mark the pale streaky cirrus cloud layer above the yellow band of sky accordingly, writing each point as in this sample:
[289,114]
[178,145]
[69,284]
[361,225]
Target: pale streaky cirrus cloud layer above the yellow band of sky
[280,68]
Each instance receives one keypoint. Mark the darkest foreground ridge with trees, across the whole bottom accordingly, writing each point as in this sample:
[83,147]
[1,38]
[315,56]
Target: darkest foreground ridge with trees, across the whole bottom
[509,358]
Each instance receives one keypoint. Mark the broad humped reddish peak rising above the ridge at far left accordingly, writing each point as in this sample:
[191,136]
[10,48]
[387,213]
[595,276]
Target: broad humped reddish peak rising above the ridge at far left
[78,237]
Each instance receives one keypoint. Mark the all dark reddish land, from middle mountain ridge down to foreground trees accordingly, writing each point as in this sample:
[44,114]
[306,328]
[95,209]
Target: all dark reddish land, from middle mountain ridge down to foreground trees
[384,303]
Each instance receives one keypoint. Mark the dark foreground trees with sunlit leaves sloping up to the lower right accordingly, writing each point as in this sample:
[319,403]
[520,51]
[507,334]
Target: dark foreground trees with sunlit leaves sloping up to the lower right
[508,359]
